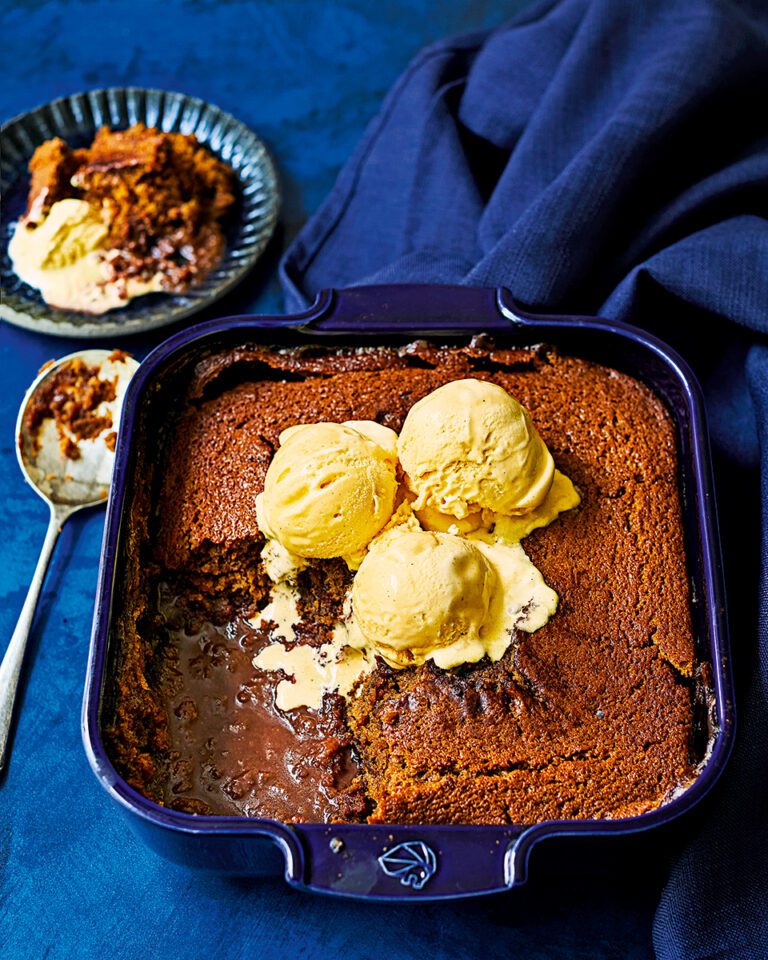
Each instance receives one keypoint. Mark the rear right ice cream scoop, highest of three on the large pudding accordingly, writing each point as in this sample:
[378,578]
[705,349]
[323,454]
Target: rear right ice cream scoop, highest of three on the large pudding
[469,446]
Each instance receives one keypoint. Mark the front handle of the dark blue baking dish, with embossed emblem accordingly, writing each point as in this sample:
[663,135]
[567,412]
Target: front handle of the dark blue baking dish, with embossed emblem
[405,862]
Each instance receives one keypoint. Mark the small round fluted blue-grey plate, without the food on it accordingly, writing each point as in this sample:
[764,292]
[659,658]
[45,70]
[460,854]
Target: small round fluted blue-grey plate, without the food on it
[76,119]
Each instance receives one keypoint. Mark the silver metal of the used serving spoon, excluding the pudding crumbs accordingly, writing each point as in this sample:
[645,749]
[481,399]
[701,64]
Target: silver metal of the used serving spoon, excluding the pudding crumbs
[67,486]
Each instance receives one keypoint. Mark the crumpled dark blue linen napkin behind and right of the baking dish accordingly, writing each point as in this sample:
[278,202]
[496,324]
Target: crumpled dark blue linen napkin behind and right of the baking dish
[607,158]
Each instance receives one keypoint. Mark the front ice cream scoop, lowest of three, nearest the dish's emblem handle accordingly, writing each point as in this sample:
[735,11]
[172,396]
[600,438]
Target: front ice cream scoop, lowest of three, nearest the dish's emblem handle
[422,594]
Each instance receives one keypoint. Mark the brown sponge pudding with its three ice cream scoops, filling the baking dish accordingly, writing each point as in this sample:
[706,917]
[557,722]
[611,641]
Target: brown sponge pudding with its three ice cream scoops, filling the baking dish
[430,584]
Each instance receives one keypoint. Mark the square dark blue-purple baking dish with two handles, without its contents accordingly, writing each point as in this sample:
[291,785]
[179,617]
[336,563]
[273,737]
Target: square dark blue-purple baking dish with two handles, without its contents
[415,862]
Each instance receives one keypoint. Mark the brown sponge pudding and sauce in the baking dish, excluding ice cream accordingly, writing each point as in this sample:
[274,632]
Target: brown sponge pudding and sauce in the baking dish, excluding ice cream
[590,716]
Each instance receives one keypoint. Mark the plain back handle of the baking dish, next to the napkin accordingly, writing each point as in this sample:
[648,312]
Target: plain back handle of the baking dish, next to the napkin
[398,308]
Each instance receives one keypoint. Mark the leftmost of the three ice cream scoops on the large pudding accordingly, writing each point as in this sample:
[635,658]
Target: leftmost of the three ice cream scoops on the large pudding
[329,489]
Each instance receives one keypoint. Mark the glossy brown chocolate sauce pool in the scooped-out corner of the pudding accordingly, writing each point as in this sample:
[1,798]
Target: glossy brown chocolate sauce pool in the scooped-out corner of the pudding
[231,750]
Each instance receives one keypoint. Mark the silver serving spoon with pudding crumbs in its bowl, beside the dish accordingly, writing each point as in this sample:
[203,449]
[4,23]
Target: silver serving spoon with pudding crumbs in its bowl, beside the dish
[69,470]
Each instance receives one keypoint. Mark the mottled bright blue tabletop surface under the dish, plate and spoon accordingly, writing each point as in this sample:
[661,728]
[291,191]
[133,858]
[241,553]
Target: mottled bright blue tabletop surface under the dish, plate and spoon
[307,76]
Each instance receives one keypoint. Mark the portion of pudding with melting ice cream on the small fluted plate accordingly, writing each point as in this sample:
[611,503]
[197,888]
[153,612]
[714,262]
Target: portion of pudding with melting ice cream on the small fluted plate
[138,211]
